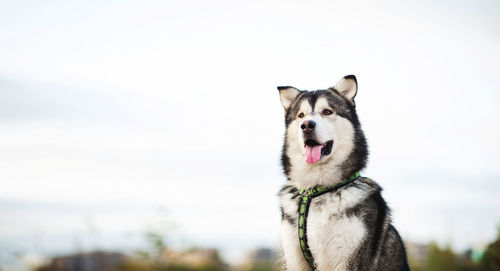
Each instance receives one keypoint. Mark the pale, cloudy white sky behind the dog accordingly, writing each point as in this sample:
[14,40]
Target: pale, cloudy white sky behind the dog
[122,117]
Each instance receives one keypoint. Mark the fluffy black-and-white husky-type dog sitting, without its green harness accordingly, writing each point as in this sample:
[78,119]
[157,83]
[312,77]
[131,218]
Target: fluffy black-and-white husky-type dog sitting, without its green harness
[349,228]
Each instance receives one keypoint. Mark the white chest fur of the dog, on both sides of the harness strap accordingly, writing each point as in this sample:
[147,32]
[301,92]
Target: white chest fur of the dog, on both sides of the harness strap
[333,232]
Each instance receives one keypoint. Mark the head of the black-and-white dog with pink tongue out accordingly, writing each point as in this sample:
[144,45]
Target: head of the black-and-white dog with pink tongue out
[322,131]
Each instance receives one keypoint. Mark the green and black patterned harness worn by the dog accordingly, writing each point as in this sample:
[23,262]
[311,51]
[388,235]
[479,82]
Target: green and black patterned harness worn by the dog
[305,202]
